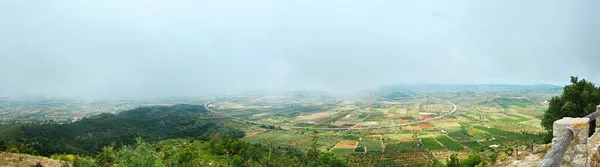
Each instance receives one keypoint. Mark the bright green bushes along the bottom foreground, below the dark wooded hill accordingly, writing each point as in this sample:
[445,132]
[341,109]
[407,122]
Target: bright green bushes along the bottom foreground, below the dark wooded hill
[218,151]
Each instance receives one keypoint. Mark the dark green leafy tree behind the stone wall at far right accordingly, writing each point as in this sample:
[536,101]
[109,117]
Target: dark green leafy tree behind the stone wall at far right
[578,99]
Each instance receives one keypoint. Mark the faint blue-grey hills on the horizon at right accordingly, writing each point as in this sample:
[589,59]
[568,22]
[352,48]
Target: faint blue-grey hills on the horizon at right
[465,87]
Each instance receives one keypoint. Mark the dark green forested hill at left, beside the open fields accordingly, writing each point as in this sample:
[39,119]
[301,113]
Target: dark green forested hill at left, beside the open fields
[88,136]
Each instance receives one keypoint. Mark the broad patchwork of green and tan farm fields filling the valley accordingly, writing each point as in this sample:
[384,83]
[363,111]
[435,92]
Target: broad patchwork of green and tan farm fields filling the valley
[379,129]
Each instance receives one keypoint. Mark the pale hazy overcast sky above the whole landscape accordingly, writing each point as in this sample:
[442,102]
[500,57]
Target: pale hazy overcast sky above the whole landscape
[145,47]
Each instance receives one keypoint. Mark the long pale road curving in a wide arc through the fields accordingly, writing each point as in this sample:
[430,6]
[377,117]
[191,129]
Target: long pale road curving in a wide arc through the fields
[365,128]
